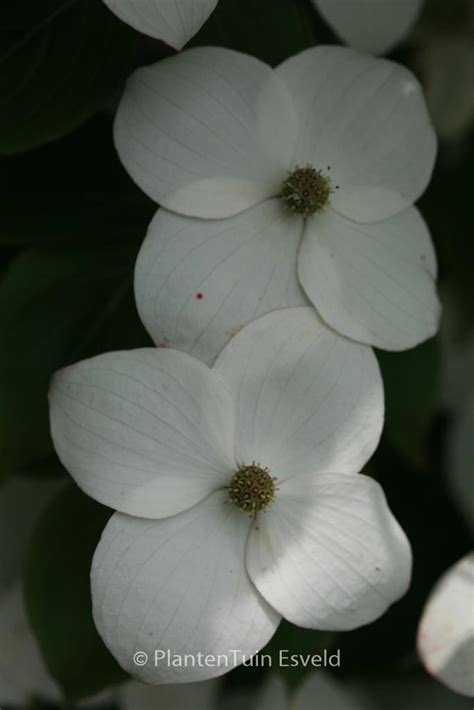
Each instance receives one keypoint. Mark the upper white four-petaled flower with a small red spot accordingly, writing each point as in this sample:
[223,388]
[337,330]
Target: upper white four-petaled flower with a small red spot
[213,135]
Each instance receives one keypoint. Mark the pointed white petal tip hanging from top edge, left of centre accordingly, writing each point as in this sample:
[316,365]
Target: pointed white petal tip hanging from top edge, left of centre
[173,21]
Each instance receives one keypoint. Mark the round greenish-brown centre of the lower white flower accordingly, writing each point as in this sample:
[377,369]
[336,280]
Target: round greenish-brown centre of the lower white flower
[252,488]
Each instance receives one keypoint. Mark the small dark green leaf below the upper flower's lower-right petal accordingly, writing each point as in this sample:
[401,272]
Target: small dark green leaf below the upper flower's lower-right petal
[410,380]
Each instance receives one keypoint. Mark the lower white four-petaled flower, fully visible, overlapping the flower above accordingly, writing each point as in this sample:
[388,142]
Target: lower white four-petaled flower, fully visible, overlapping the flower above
[187,454]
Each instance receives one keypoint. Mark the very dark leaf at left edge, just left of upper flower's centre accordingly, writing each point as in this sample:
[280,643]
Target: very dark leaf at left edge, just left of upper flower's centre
[74,190]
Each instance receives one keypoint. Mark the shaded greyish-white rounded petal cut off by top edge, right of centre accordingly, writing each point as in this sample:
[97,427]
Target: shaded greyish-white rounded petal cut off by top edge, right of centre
[371,25]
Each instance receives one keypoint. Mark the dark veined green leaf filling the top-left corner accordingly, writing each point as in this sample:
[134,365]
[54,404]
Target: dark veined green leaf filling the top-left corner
[60,61]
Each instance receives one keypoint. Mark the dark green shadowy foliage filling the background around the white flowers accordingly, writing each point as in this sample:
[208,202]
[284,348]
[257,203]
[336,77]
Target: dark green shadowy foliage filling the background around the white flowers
[71,224]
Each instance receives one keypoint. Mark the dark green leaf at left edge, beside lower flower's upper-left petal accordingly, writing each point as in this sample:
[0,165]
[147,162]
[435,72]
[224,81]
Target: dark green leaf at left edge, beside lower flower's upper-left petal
[56,307]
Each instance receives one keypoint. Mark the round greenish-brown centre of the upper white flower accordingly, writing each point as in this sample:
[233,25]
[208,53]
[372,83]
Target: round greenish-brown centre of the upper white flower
[306,191]
